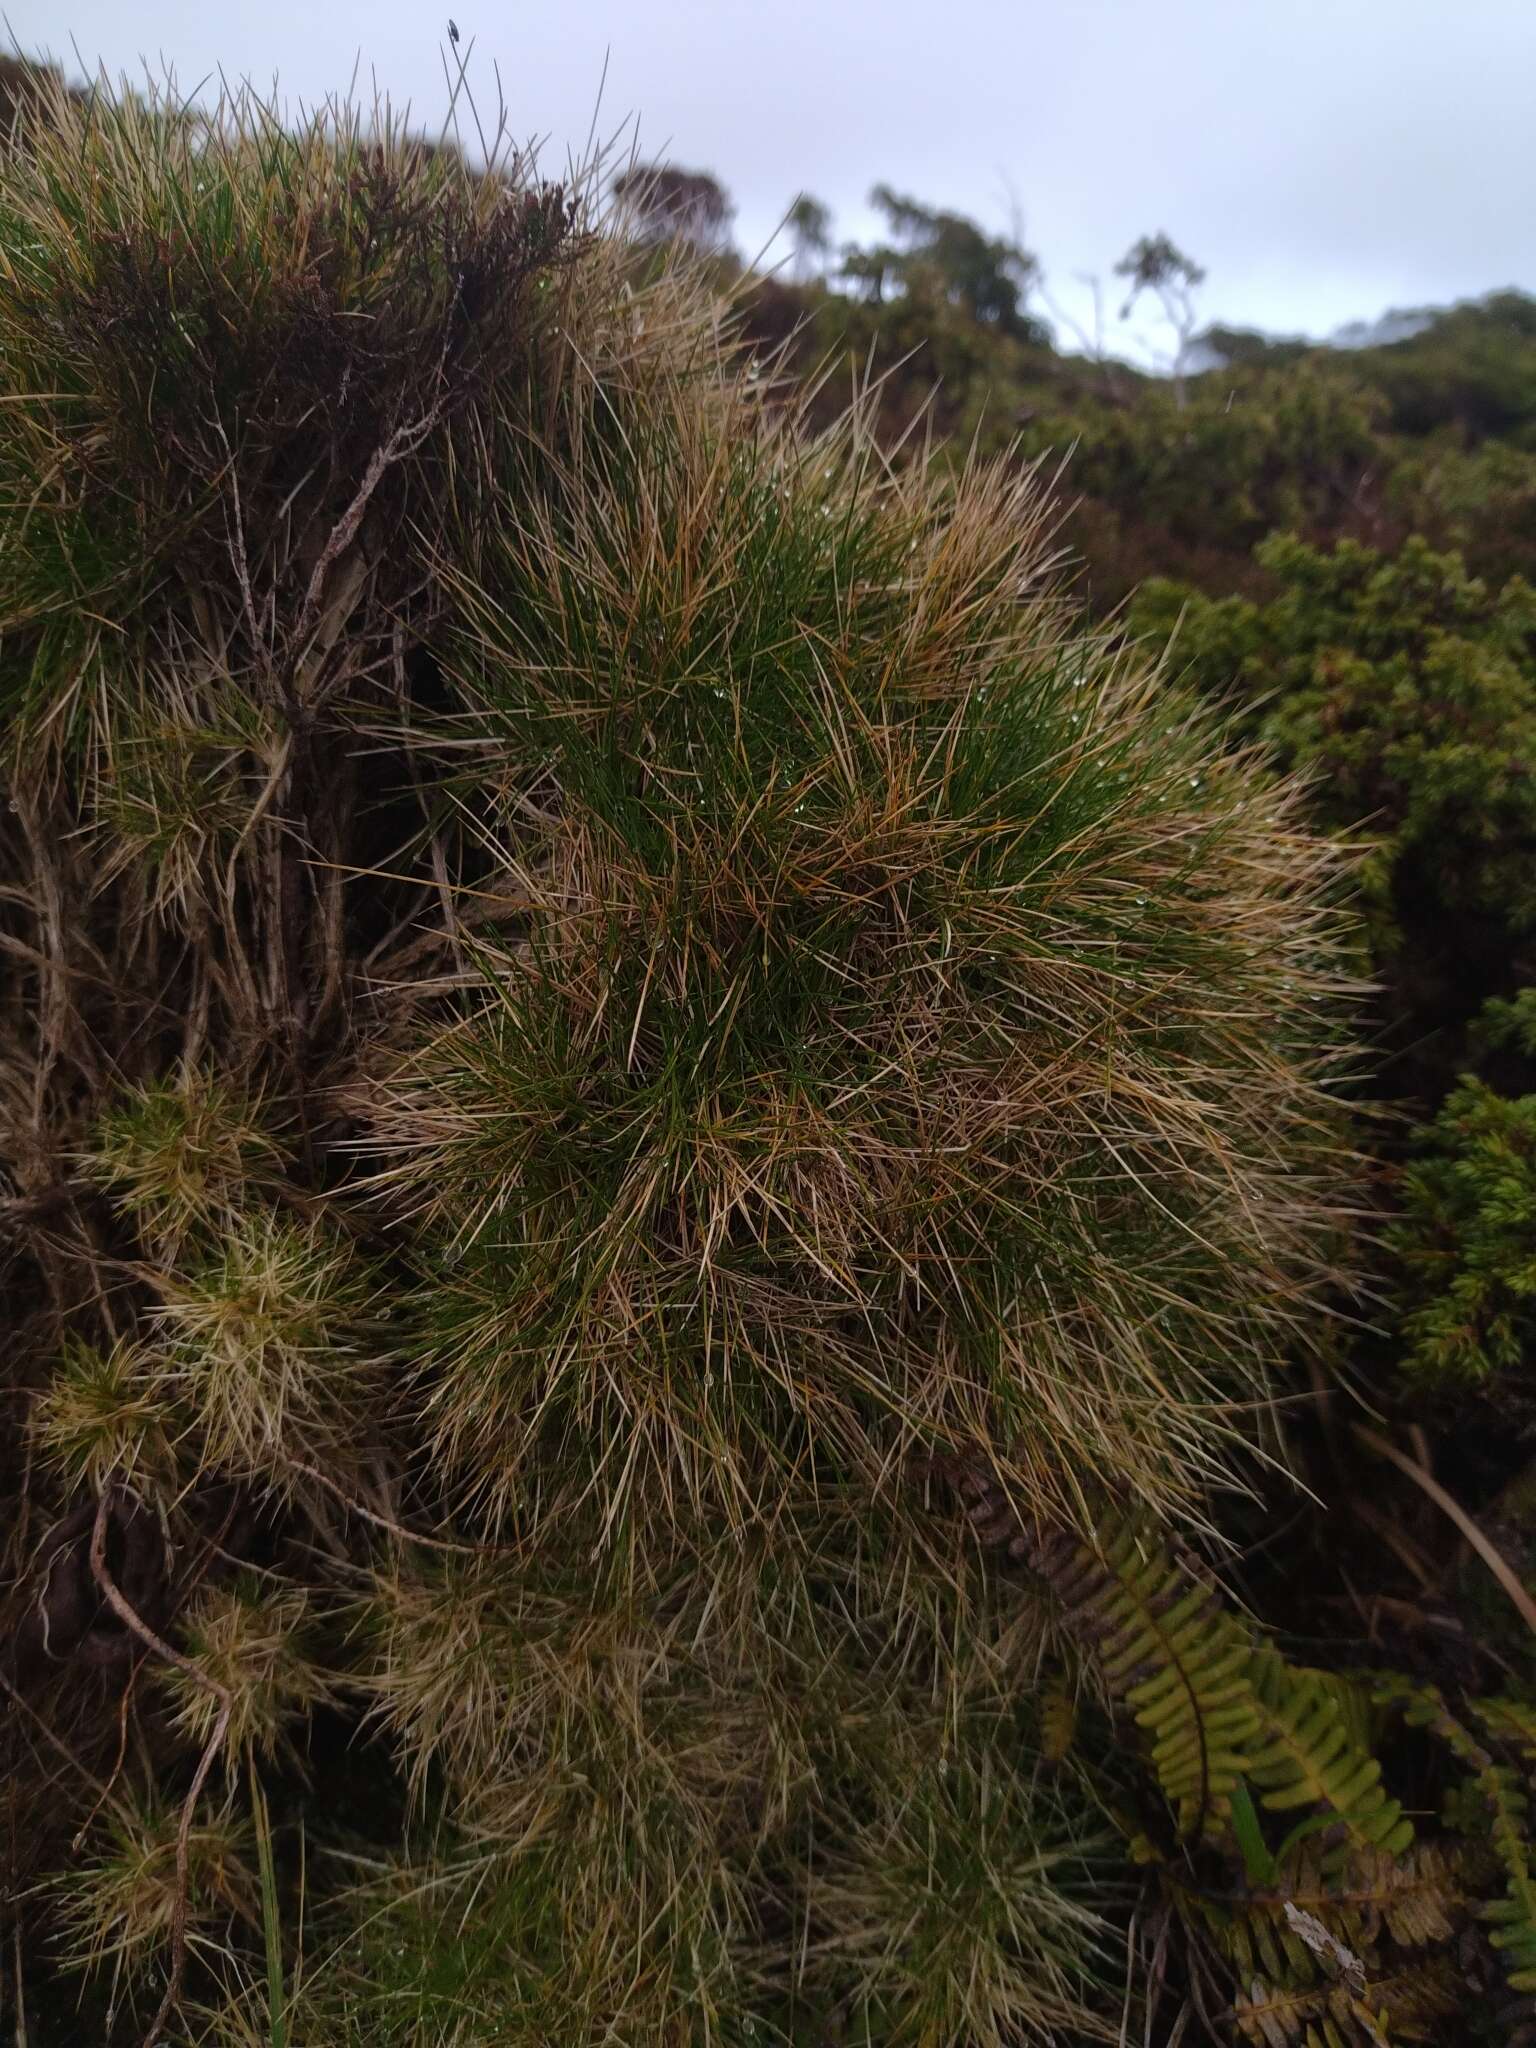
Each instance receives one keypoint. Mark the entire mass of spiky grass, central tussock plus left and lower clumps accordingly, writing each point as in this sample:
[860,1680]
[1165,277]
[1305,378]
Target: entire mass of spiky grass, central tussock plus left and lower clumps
[597,984]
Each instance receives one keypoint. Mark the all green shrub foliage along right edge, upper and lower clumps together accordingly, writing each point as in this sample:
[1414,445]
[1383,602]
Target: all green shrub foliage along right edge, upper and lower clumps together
[1406,689]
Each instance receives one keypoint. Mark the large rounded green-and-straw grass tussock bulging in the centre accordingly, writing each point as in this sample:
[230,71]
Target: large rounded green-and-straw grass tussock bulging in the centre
[919,1025]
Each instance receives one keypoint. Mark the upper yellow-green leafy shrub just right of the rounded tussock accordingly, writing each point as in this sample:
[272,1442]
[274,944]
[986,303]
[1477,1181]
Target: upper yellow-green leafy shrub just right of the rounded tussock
[1408,693]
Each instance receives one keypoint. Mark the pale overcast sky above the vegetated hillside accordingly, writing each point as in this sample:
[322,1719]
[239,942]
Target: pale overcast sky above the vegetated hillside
[1322,159]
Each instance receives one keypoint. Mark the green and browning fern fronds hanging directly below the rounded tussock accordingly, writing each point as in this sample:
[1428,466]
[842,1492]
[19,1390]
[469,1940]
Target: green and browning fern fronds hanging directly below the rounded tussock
[1334,1938]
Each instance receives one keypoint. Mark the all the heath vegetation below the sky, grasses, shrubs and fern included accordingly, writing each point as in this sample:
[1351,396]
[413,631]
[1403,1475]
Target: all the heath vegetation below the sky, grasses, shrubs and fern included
[767,1189]
